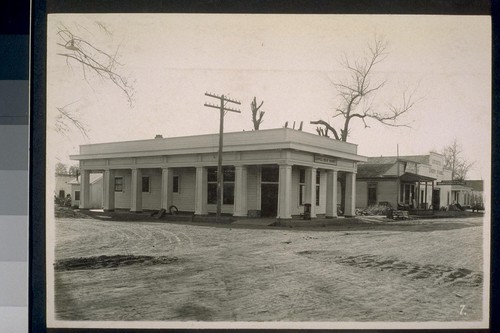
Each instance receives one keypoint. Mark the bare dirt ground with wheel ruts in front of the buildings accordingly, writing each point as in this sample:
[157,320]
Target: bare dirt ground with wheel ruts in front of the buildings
[107,270]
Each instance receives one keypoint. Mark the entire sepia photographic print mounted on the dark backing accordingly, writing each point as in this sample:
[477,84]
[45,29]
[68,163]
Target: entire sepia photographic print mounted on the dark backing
[268,171]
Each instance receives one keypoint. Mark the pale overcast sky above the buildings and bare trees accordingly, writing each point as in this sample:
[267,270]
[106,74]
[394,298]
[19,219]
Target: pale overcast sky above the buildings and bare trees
[289,62]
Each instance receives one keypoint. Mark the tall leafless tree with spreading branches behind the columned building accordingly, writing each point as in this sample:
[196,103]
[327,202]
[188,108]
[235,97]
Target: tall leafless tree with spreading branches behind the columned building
[356,94]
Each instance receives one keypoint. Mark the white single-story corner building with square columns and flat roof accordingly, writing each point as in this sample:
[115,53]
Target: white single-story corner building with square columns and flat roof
[265,173]
